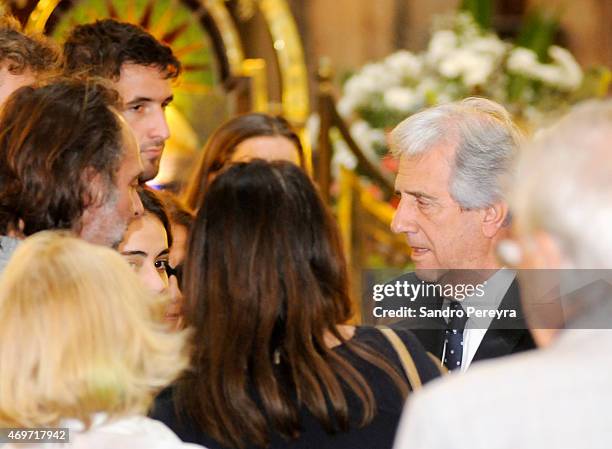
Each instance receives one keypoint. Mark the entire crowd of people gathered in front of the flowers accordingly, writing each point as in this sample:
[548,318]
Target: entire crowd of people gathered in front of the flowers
[222,319]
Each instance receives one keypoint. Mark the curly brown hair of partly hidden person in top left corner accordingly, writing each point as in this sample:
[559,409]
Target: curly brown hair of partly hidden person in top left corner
[23,51]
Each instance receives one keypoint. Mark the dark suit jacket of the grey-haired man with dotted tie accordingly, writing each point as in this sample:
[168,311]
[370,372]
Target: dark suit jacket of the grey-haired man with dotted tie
[504,336]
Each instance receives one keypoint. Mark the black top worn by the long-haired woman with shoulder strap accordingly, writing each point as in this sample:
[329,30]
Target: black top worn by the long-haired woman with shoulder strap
[378,434]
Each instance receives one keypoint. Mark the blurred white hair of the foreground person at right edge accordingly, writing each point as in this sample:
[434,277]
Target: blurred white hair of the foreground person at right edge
[564,185]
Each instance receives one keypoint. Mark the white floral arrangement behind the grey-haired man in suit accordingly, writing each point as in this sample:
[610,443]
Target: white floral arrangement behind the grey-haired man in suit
[461,60]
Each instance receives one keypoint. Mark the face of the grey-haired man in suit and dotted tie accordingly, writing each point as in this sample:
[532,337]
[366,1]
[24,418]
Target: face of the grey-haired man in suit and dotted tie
[441,234]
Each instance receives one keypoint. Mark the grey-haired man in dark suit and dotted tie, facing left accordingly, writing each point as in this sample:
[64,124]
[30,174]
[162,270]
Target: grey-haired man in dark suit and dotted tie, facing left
[452,159]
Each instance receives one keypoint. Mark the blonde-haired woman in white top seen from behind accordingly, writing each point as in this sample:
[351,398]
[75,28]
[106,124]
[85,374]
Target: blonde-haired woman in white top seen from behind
[83,346]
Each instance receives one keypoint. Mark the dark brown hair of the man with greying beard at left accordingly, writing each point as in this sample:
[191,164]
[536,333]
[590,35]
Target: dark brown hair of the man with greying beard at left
[52,139]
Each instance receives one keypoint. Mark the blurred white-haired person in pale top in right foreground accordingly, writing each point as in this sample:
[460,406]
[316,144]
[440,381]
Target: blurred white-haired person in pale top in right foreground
[559,395]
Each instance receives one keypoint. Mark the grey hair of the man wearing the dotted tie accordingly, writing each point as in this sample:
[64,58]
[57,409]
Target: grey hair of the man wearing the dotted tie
[486,143]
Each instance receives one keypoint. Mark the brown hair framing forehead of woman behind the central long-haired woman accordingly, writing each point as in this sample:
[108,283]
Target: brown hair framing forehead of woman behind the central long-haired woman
[223,142]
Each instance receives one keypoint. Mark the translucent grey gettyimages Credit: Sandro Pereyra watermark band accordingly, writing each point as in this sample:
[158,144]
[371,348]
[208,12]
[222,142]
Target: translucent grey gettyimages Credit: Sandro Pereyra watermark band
[504,299]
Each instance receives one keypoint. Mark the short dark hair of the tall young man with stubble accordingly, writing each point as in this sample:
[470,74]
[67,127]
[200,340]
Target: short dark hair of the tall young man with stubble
[102,47]
